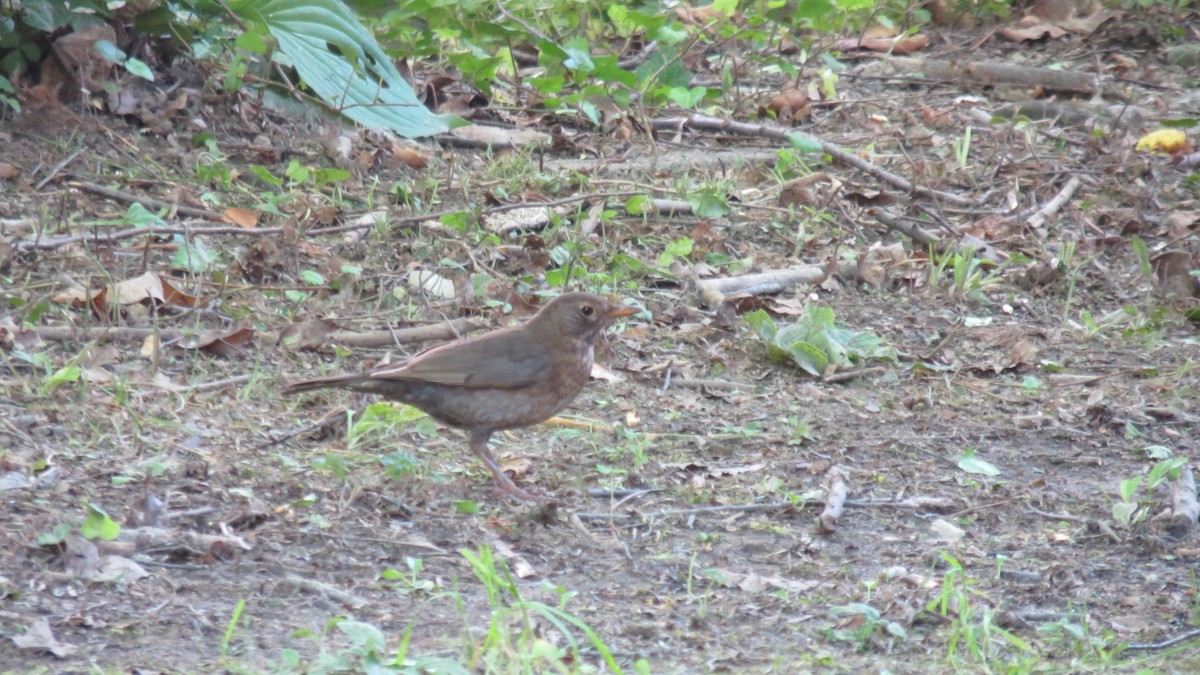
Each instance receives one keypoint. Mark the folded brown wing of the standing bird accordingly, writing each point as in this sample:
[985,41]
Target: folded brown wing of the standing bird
[509,362]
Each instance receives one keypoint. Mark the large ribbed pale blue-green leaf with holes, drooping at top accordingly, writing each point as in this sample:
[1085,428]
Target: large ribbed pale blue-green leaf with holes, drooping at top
[361,81]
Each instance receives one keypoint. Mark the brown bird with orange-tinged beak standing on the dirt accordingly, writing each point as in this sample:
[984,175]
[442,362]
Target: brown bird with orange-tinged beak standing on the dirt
[502,380]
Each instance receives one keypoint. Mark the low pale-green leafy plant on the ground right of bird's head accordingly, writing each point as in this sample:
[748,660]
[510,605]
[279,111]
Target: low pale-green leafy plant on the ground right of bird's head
[815,343]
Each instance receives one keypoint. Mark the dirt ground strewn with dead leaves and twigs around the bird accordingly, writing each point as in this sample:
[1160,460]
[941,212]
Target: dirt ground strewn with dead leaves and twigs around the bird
[688,481]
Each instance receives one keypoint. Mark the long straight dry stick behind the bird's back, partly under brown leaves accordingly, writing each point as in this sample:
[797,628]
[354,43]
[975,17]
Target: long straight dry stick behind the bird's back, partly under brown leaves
[445,331]
